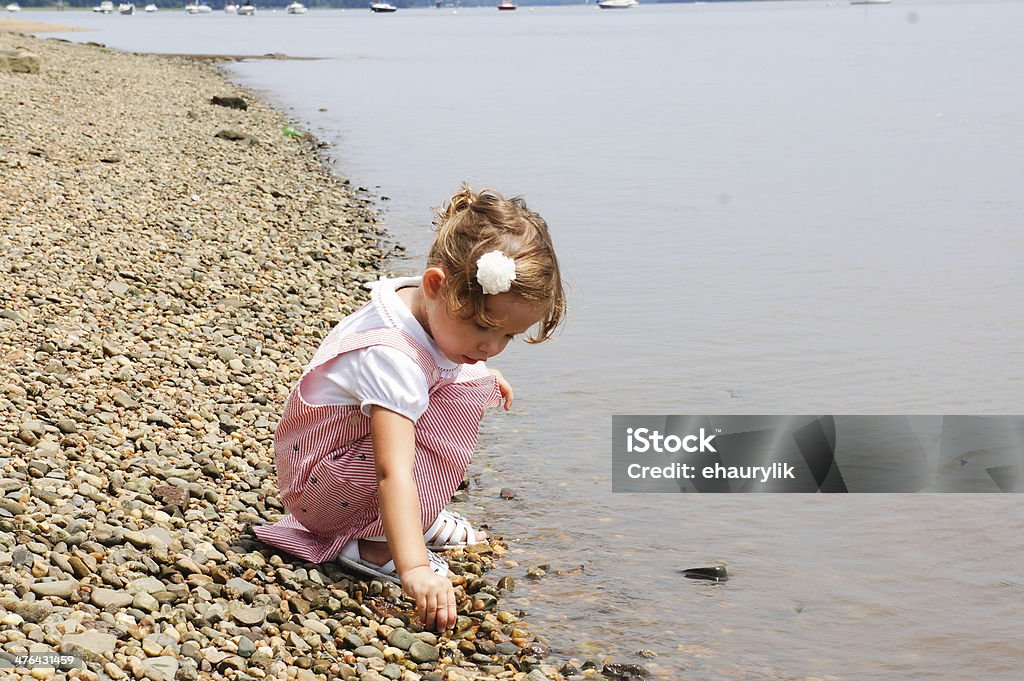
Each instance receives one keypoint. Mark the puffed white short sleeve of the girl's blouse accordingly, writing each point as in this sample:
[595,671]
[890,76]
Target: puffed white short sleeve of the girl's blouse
[375,375]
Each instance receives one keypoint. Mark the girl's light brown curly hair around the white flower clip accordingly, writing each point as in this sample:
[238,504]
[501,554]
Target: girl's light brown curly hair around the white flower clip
[473,224]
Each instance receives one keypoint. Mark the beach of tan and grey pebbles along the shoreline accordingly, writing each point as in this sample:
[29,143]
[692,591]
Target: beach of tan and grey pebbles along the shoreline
[167,268]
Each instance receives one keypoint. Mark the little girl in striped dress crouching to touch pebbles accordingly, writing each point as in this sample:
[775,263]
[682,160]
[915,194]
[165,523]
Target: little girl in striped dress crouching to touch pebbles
[376,437]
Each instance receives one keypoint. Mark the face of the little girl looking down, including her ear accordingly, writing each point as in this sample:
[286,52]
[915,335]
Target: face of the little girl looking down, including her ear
[467,342]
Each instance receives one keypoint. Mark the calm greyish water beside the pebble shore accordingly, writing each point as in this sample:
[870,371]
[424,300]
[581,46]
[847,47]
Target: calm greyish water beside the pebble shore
[773,207]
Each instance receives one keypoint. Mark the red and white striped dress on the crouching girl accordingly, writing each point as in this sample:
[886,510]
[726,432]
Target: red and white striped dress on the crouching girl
[325,455]
